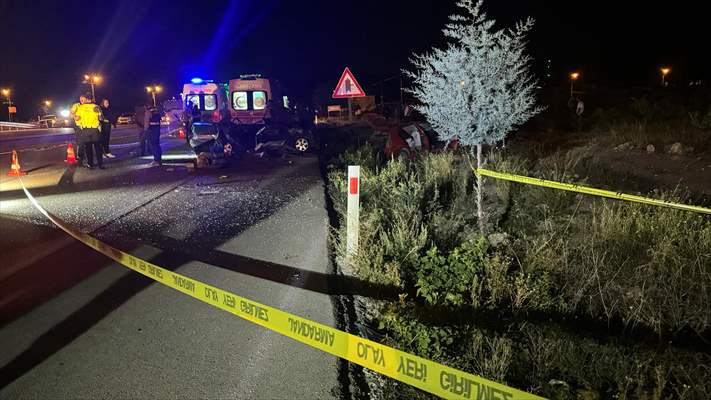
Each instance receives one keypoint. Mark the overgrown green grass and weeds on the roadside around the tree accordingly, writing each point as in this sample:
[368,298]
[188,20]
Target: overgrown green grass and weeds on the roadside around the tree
[582,297]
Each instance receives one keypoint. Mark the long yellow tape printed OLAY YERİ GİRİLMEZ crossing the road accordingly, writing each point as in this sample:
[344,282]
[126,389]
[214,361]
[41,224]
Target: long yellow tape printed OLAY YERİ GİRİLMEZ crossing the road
[416,371]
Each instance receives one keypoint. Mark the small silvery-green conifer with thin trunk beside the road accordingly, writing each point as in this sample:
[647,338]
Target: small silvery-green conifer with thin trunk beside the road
[480,87]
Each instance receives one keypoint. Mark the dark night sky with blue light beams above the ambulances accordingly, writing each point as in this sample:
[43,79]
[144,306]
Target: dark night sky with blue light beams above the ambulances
[47,46]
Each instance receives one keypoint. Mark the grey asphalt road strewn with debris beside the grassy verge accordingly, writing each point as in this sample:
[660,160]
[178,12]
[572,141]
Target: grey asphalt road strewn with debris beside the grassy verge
[74,324]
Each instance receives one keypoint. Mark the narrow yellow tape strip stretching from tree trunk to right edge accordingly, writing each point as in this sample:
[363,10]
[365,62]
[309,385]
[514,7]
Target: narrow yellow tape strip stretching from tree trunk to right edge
[588,190]
